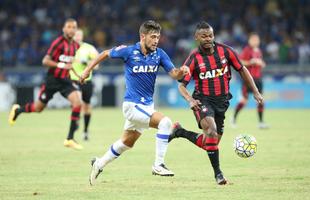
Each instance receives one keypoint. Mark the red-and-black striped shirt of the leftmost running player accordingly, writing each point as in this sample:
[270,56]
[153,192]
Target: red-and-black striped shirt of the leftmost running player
[61,50]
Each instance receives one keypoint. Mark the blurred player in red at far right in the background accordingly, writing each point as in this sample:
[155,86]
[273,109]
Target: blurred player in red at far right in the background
[252,58]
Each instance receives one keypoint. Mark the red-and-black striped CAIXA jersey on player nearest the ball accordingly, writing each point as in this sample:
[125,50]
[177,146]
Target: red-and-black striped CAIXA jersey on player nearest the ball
[212,73]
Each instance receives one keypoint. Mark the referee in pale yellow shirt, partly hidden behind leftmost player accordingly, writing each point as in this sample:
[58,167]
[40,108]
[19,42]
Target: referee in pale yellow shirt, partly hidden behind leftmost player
[83,56]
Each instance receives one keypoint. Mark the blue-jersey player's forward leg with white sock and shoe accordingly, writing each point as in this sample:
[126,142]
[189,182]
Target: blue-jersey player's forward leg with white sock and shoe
[164,126]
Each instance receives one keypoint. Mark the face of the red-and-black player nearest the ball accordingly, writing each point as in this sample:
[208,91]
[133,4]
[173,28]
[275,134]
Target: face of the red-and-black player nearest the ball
[205,37]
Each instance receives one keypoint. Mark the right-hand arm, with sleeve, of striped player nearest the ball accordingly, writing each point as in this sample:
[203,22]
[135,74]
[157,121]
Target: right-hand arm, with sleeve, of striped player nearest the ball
[245,74]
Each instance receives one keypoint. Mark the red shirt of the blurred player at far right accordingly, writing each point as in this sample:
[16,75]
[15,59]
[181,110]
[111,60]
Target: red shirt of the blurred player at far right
[249,53]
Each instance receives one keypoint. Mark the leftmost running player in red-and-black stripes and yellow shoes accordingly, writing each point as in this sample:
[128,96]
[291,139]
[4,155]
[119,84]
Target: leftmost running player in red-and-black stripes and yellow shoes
[58,59]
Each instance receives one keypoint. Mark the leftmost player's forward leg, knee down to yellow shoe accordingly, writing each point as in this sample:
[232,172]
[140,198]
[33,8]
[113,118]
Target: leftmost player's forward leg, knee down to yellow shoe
[75,99]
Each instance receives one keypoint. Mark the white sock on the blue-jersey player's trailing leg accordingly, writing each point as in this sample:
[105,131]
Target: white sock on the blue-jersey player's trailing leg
[114,152]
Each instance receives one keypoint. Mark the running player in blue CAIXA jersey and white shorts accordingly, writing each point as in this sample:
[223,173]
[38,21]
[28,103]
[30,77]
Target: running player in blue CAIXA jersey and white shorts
[142,61]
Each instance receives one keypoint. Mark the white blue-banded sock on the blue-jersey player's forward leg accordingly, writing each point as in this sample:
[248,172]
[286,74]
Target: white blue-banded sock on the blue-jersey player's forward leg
[164,130]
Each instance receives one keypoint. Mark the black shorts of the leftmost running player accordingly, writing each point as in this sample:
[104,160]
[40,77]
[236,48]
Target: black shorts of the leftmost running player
[53,85]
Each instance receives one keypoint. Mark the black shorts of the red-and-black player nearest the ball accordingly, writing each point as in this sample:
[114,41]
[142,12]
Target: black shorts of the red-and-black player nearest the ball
[213,107]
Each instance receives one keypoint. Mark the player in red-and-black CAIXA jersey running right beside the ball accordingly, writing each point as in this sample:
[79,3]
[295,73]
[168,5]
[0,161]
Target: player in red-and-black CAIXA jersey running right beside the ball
[209,66]
